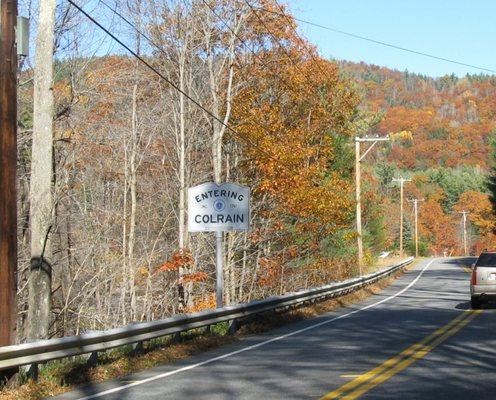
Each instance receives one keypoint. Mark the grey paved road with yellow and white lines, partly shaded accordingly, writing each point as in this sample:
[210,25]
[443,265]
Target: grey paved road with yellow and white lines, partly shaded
[418,339]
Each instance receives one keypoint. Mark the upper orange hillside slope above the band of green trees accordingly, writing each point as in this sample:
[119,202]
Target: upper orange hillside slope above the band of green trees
[451,118]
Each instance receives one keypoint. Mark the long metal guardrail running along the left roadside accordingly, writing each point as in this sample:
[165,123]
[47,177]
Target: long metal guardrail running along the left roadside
[52,349]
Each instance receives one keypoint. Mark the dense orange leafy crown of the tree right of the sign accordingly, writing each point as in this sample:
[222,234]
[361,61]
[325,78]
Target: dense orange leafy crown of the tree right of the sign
[299,108]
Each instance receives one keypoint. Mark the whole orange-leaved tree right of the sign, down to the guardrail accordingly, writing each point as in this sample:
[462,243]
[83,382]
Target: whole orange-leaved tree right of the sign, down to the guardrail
[291,122]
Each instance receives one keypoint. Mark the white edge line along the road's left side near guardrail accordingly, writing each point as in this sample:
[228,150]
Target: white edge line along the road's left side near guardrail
[254,346]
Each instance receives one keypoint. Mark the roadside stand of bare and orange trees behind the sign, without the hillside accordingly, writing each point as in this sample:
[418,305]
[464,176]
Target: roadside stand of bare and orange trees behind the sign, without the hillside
[127,145]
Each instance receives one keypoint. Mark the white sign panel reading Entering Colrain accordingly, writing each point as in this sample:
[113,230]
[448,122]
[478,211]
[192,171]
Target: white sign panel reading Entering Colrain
[218,208]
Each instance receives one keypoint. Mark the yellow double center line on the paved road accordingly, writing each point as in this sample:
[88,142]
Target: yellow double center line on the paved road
[398,363]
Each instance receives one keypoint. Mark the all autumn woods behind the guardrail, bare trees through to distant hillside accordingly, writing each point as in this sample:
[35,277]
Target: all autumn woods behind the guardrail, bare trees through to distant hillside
[236,95]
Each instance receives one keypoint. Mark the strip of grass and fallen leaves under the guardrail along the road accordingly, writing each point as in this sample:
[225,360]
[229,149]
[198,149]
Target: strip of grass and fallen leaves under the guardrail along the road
[61,376]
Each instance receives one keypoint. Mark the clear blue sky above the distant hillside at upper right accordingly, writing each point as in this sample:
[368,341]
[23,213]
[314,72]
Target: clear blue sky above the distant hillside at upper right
[461,30]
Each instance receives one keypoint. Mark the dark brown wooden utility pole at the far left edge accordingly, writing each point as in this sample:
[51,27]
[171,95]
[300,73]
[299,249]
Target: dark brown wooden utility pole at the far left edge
[8,160]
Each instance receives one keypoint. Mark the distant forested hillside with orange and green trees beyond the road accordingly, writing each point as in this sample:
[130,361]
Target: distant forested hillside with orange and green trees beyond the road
[447,126]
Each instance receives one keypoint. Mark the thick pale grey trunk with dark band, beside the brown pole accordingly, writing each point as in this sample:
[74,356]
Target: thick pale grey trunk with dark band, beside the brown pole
[41,196]
